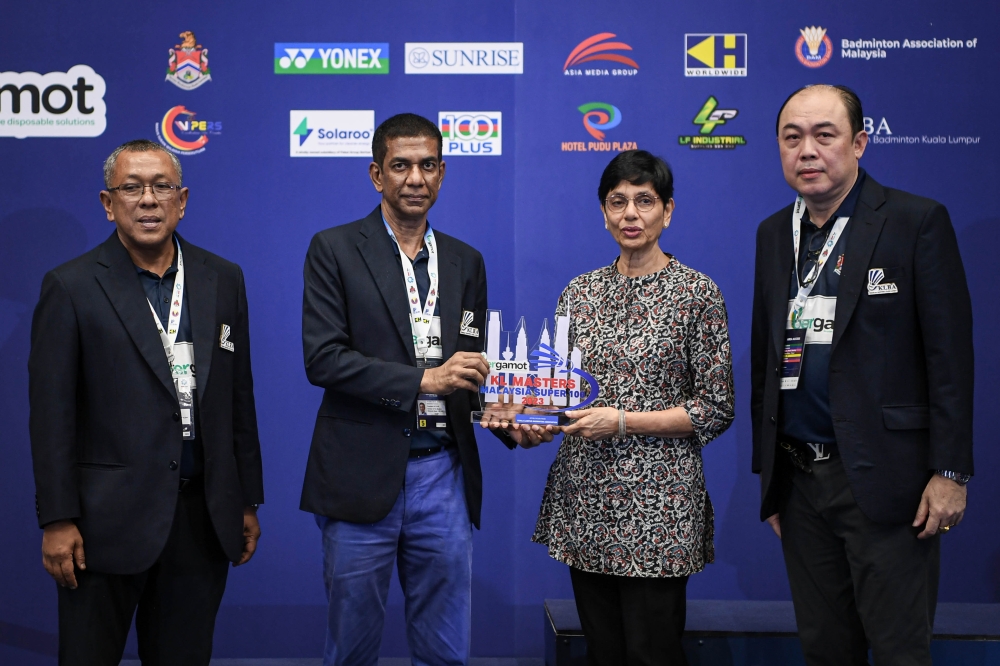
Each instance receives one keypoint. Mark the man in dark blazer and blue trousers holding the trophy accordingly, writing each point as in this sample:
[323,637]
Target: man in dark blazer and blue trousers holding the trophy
[385,326]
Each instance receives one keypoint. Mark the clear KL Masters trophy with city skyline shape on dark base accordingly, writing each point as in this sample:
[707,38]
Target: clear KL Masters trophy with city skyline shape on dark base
[536,385]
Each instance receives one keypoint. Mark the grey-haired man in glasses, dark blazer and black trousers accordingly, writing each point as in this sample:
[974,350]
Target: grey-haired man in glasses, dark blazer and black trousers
[147,473]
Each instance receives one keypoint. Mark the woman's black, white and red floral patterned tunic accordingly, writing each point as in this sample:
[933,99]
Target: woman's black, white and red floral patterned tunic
[637,506]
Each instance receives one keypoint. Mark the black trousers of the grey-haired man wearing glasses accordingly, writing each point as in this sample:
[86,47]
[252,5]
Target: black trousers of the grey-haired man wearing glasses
[177,599]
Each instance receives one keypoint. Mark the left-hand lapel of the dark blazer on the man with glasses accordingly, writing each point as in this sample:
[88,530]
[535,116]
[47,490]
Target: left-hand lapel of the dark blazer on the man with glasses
[121,284]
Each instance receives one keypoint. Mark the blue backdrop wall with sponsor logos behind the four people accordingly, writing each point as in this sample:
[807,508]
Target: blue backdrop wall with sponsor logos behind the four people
[271,107]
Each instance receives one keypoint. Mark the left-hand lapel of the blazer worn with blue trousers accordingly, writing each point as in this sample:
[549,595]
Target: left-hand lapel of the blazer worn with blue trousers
[376,250]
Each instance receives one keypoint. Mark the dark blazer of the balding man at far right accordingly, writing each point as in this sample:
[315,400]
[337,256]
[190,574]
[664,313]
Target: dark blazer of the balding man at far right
[901,365]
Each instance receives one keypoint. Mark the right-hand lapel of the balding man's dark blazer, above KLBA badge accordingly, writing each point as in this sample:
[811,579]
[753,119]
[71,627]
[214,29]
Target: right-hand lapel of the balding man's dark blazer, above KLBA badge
[866,226]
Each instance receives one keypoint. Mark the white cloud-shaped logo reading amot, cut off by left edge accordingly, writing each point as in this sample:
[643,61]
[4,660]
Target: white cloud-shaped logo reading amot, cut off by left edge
[54,104]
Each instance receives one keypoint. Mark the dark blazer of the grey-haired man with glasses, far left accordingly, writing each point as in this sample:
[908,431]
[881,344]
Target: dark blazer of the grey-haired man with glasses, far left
[105,432]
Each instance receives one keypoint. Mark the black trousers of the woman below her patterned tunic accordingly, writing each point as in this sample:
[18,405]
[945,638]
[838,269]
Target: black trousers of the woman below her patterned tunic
[633,621]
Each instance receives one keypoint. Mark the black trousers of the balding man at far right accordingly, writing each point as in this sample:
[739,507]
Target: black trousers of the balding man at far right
[855,583]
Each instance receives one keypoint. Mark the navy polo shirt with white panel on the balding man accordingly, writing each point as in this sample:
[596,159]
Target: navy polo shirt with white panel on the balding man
[805,411]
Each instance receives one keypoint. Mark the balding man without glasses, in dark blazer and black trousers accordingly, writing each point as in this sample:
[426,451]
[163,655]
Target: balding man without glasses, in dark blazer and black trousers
[861,365]
